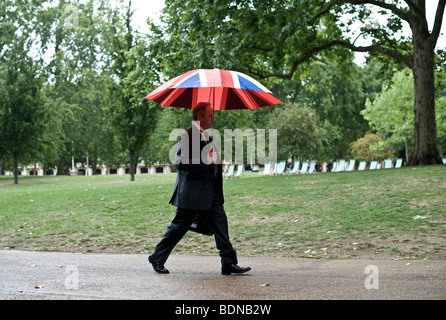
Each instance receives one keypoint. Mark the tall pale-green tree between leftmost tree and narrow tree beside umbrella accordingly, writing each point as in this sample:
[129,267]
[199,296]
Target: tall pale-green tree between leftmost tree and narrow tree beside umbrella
[75,37]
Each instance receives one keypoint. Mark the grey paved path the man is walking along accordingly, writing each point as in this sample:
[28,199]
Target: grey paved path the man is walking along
[55,275]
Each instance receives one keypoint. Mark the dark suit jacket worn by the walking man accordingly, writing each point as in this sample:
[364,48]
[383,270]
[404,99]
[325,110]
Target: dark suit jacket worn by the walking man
[196,181]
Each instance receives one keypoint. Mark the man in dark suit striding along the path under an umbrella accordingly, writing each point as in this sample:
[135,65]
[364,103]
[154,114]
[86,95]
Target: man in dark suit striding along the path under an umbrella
[198,188]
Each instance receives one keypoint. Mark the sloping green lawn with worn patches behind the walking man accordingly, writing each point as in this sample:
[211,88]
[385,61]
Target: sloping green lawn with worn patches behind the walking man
[393,213]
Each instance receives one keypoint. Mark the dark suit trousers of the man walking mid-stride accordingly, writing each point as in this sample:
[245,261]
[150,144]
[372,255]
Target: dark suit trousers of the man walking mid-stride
[218,223]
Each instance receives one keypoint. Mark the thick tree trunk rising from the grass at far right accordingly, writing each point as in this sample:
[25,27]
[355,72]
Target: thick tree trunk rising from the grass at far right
[425,149]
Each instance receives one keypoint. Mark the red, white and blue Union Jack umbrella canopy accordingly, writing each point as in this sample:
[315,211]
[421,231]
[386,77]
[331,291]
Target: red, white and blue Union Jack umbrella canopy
[223,89]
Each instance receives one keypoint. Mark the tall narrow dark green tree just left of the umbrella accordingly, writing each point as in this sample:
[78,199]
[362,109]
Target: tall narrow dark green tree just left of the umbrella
[132,116]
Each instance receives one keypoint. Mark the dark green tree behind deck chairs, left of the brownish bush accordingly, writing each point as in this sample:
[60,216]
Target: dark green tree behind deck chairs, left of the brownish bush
[335,92]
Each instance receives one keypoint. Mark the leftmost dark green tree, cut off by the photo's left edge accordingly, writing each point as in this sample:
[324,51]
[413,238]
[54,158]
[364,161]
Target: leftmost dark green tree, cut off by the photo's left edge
[23,116]
